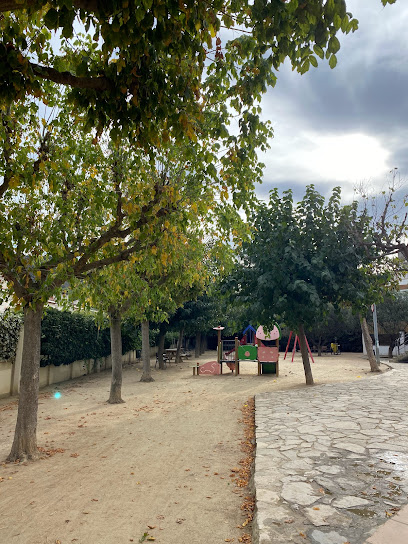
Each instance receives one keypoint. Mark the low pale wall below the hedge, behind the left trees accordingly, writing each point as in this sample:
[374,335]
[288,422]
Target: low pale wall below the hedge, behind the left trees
[56,374]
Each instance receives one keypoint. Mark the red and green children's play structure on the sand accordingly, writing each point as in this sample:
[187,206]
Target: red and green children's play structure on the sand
[232,352]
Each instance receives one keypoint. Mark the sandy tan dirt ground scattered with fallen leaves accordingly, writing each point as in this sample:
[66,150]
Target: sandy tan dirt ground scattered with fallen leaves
[157,467]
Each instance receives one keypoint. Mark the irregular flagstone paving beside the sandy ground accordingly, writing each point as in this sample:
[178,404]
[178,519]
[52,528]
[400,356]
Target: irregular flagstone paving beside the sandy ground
[331,461]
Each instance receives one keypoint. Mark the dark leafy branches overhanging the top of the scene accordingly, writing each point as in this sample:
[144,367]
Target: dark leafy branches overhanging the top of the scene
[141,65]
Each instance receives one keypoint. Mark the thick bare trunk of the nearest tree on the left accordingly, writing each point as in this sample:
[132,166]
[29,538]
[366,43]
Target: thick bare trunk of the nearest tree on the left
[25,435]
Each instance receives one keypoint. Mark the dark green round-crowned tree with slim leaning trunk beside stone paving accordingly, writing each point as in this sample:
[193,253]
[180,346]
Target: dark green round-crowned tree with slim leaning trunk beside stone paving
[301,261]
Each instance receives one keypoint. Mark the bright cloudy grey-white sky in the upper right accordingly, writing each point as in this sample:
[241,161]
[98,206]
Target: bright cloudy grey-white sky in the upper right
[350,124]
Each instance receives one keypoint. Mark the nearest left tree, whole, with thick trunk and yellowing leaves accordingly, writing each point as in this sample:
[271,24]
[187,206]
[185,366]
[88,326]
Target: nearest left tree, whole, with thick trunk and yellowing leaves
[67,208]
